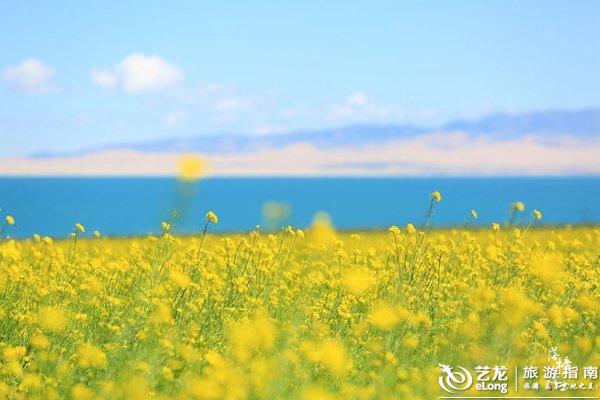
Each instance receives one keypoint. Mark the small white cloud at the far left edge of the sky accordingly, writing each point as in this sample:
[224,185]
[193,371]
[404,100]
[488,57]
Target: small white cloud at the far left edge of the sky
[31,76]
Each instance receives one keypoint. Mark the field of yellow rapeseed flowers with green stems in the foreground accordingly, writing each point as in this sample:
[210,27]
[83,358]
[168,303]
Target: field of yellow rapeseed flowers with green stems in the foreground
[311,315]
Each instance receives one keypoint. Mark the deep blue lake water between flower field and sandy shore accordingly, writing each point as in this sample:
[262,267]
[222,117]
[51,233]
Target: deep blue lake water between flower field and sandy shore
[135,206]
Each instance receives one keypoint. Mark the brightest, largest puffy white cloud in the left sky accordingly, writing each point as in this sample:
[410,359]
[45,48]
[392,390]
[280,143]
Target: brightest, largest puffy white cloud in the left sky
[139,73]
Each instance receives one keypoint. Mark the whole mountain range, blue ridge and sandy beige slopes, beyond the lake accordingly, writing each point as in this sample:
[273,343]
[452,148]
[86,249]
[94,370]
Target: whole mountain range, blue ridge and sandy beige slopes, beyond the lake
[557,143]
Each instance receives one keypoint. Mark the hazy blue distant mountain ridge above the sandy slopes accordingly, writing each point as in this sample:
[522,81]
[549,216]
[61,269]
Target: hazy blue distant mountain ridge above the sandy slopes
[581,124]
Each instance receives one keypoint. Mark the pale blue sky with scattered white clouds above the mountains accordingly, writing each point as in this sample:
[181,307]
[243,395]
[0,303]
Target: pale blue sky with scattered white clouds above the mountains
[84,74]
